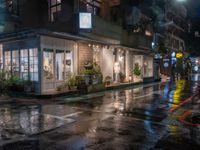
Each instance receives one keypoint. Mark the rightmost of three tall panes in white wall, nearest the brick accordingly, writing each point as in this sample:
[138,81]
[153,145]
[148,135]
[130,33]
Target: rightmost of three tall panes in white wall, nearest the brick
[68,63]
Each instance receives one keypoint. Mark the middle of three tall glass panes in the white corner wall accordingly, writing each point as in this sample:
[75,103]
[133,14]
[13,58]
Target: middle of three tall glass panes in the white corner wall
[59,65]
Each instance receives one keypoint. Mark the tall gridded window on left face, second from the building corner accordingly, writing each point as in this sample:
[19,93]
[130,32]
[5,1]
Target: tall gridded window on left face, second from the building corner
[24,69]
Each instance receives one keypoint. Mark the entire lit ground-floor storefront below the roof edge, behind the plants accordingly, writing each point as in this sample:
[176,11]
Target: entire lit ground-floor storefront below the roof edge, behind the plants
[48,60]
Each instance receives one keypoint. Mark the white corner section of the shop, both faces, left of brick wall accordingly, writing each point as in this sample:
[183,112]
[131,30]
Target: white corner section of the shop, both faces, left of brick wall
[44,60]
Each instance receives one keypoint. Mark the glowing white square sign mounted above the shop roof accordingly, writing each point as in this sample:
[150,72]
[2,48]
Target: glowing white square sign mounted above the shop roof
[85,20]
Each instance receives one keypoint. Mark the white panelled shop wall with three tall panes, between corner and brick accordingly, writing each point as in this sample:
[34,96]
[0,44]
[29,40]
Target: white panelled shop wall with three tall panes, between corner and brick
[58,61]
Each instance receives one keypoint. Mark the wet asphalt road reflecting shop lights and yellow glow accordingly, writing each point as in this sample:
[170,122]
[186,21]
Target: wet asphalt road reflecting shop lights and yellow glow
[154,116]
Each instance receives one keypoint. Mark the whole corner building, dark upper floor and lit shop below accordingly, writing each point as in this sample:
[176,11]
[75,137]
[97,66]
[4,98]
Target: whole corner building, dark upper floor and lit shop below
[50,44]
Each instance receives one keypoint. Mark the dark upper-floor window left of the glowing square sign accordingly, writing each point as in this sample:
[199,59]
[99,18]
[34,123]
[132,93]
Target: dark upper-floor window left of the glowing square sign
[54,9]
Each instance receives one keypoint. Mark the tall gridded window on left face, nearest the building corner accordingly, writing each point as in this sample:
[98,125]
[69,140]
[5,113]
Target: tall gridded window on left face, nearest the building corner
[33,58]
